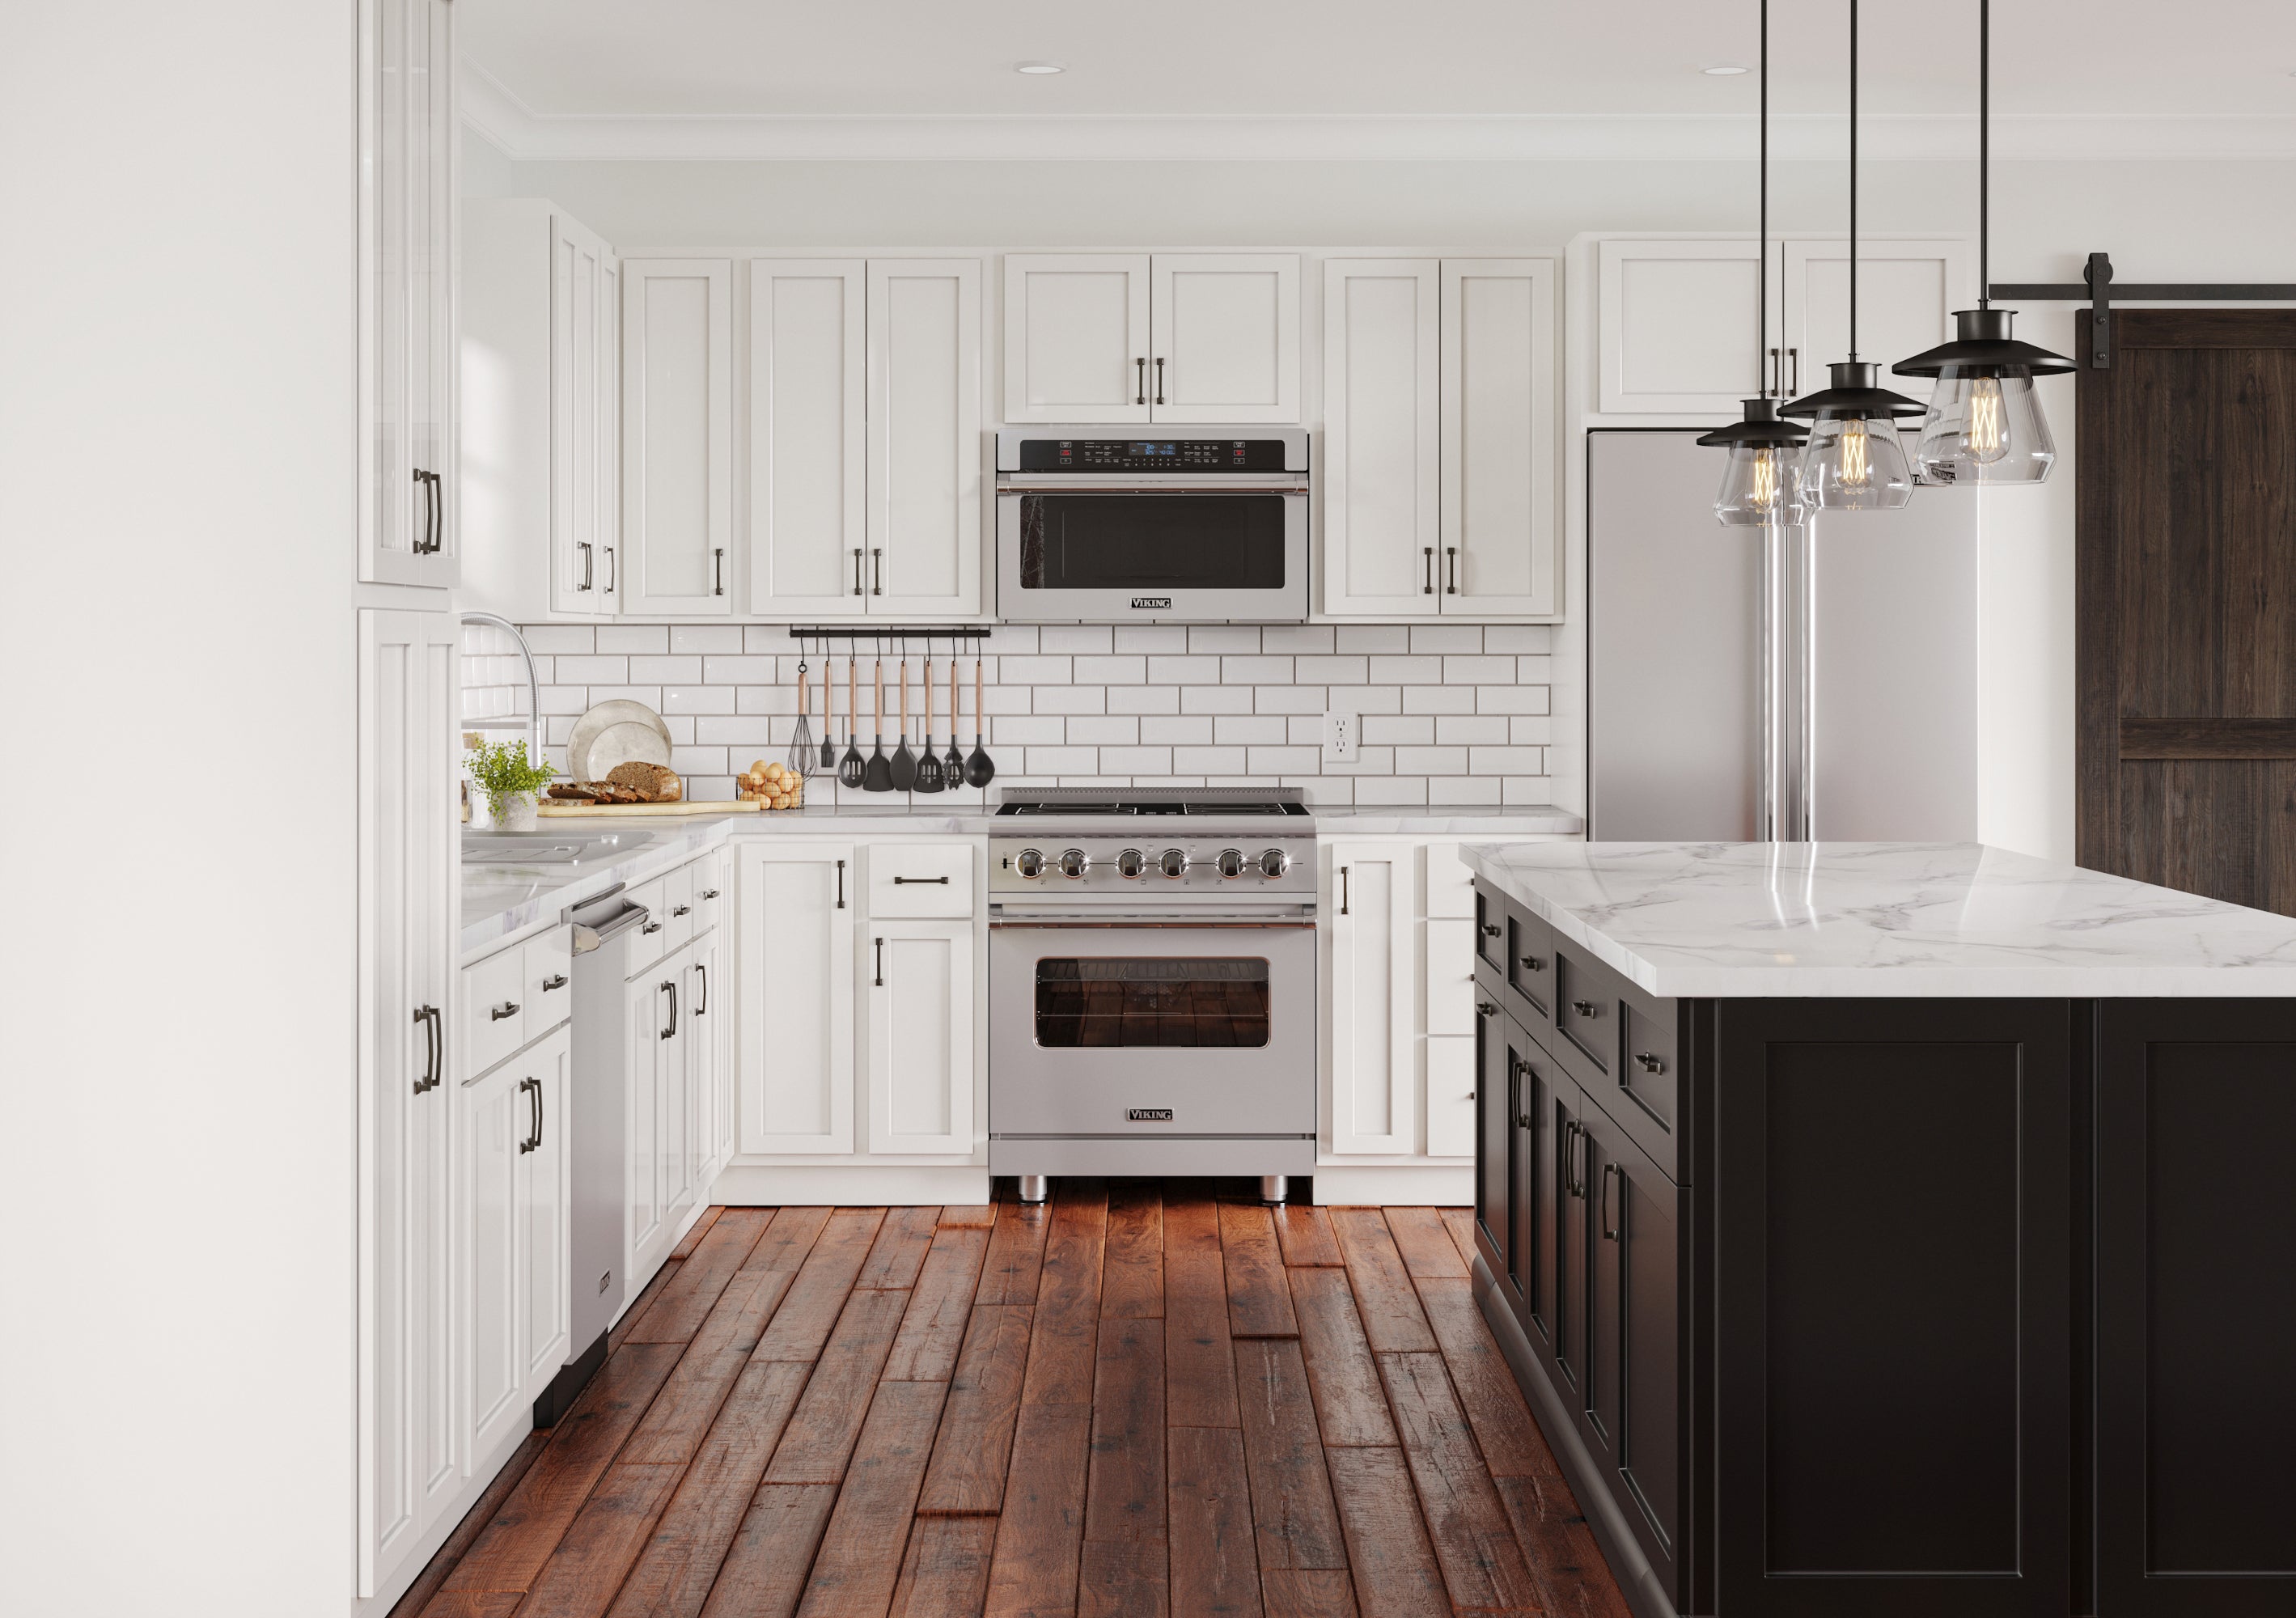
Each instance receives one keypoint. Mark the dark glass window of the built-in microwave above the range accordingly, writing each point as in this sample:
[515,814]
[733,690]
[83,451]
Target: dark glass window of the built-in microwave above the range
[1156,543]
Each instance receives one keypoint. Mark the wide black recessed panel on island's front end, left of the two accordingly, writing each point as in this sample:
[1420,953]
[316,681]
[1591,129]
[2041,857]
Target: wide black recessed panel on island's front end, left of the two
[1893,1309]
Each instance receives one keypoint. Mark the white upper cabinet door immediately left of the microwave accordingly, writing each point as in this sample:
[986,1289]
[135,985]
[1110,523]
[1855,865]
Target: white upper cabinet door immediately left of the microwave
[924,437]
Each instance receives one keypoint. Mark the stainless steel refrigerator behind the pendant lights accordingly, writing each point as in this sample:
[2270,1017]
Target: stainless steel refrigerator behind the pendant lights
[1872,664]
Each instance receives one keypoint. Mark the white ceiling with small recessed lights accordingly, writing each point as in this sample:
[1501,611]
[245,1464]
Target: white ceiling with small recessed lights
[591,77]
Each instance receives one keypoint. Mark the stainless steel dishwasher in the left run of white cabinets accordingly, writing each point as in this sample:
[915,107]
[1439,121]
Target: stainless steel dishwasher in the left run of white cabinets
[598,1123]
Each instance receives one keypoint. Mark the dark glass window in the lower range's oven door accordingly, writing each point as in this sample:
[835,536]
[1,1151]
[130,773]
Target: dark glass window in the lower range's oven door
[1151,1002]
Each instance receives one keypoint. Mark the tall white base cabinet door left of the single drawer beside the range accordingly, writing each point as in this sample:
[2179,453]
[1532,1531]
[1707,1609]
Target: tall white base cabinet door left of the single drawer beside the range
[796,967]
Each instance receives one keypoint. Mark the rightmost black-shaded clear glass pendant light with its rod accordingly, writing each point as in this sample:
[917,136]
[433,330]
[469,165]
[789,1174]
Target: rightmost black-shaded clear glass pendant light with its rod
[1985,421]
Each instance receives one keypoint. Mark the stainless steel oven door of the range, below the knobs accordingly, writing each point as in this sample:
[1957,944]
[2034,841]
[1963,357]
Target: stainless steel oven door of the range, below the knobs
[1151,1032]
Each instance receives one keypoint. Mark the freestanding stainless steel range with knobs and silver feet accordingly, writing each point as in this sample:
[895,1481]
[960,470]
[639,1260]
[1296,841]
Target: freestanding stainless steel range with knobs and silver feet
[1154,986]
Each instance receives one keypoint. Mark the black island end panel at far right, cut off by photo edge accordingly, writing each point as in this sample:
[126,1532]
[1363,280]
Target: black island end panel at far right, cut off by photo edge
[2196,1309]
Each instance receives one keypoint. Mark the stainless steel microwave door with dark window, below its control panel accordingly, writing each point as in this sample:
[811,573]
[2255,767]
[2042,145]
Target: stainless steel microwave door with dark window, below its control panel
[1126,550]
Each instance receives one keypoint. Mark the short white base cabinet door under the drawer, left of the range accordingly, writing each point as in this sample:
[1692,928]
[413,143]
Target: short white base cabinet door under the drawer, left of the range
[922,1036]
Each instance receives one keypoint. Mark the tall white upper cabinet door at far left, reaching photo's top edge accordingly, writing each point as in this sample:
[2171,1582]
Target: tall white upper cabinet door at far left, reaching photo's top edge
[408,293]
